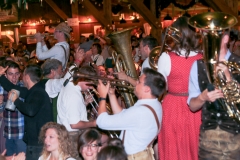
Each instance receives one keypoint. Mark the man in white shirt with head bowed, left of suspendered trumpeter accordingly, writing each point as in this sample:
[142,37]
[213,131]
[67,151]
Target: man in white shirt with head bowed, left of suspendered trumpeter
[71,106]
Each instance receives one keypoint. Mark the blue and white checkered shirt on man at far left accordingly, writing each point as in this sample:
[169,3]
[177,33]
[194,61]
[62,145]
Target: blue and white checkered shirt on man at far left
[14,120]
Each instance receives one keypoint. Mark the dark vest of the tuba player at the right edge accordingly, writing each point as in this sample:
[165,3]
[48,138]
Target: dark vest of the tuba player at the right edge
[212,116]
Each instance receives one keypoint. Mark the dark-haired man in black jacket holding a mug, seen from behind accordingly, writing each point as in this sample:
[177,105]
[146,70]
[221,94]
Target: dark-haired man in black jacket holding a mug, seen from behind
[36,107]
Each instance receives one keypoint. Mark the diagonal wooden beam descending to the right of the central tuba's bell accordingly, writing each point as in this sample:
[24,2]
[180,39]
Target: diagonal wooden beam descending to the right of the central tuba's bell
[145,13]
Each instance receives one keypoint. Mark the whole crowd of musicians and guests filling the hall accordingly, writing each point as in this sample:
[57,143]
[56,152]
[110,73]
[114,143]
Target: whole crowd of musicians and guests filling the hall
[55,117]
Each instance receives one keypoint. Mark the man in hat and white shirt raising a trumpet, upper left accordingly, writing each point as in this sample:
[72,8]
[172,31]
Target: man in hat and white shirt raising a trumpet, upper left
[61,49]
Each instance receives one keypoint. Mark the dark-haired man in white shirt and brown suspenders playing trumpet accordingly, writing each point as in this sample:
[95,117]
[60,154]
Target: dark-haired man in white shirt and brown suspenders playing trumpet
[138,124]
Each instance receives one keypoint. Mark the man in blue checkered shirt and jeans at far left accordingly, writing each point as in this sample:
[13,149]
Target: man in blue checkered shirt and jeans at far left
[13,132]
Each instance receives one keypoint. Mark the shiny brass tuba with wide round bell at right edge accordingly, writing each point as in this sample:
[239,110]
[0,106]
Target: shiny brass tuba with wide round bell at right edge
[212,25]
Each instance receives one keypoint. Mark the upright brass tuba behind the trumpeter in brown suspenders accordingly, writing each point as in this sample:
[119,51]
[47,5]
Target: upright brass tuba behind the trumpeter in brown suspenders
[123,60]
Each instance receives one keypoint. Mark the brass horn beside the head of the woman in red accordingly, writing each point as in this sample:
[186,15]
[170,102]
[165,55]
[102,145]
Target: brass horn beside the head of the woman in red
[172,35]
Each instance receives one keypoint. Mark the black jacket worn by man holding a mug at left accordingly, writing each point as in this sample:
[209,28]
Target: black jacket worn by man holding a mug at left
[36,108]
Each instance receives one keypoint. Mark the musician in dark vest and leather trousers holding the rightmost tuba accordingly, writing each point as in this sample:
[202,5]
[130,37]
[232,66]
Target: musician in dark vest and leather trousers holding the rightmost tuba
[219,134]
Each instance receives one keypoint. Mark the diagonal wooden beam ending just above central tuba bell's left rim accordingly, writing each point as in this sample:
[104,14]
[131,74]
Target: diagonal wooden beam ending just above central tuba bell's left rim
[98,15]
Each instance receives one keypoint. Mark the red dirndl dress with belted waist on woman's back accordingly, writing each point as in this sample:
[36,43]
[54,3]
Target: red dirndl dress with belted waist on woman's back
[178,138]
